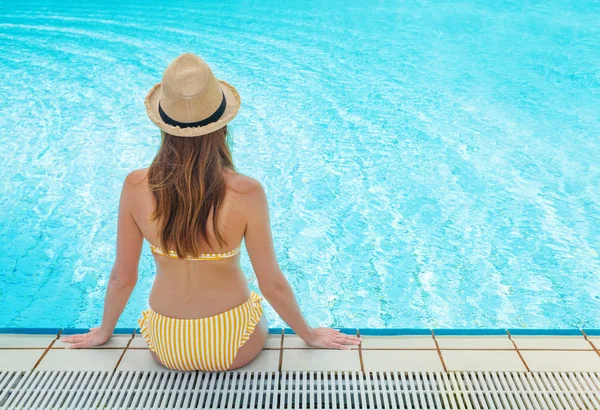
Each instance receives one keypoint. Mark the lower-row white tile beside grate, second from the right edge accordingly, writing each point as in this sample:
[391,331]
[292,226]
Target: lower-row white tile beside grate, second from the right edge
[480,360]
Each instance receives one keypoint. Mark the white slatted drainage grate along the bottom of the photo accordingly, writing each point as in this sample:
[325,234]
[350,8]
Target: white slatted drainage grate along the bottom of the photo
[298,390]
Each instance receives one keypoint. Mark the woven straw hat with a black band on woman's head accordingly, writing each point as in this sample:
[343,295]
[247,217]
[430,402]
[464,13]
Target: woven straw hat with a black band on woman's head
[190,101]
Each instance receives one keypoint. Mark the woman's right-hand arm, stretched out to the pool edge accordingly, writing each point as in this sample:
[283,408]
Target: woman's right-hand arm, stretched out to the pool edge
[271,281]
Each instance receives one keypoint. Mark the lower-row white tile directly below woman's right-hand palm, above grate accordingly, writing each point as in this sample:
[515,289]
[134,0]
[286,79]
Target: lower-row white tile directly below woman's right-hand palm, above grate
[321,359]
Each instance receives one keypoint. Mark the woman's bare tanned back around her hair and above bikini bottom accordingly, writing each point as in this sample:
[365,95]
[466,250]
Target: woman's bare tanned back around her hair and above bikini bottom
[196,289]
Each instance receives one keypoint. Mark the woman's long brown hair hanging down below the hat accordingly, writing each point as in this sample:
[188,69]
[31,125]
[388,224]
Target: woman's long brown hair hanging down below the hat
[187,182]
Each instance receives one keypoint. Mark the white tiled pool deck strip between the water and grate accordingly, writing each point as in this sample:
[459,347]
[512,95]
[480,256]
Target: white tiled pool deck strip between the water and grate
[439,351]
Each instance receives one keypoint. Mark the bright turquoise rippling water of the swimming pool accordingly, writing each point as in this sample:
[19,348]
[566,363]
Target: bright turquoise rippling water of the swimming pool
[427,163]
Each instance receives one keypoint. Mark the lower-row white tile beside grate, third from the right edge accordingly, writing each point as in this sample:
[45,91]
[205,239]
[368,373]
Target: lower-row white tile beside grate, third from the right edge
[401,360]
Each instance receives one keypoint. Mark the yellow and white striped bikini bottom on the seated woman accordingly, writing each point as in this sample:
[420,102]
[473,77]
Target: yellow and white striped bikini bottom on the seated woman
[209,344]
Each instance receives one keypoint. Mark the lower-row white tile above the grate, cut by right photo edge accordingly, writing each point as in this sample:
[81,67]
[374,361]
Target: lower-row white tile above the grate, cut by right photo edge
[556,360]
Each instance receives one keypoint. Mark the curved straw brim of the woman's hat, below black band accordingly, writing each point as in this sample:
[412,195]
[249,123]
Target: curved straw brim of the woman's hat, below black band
[233,106]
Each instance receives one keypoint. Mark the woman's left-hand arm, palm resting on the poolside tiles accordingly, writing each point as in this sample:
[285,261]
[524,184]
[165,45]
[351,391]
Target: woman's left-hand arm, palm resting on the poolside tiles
[124,273]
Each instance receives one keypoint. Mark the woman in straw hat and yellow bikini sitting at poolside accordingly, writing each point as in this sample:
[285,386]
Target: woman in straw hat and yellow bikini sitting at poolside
[194,210]
